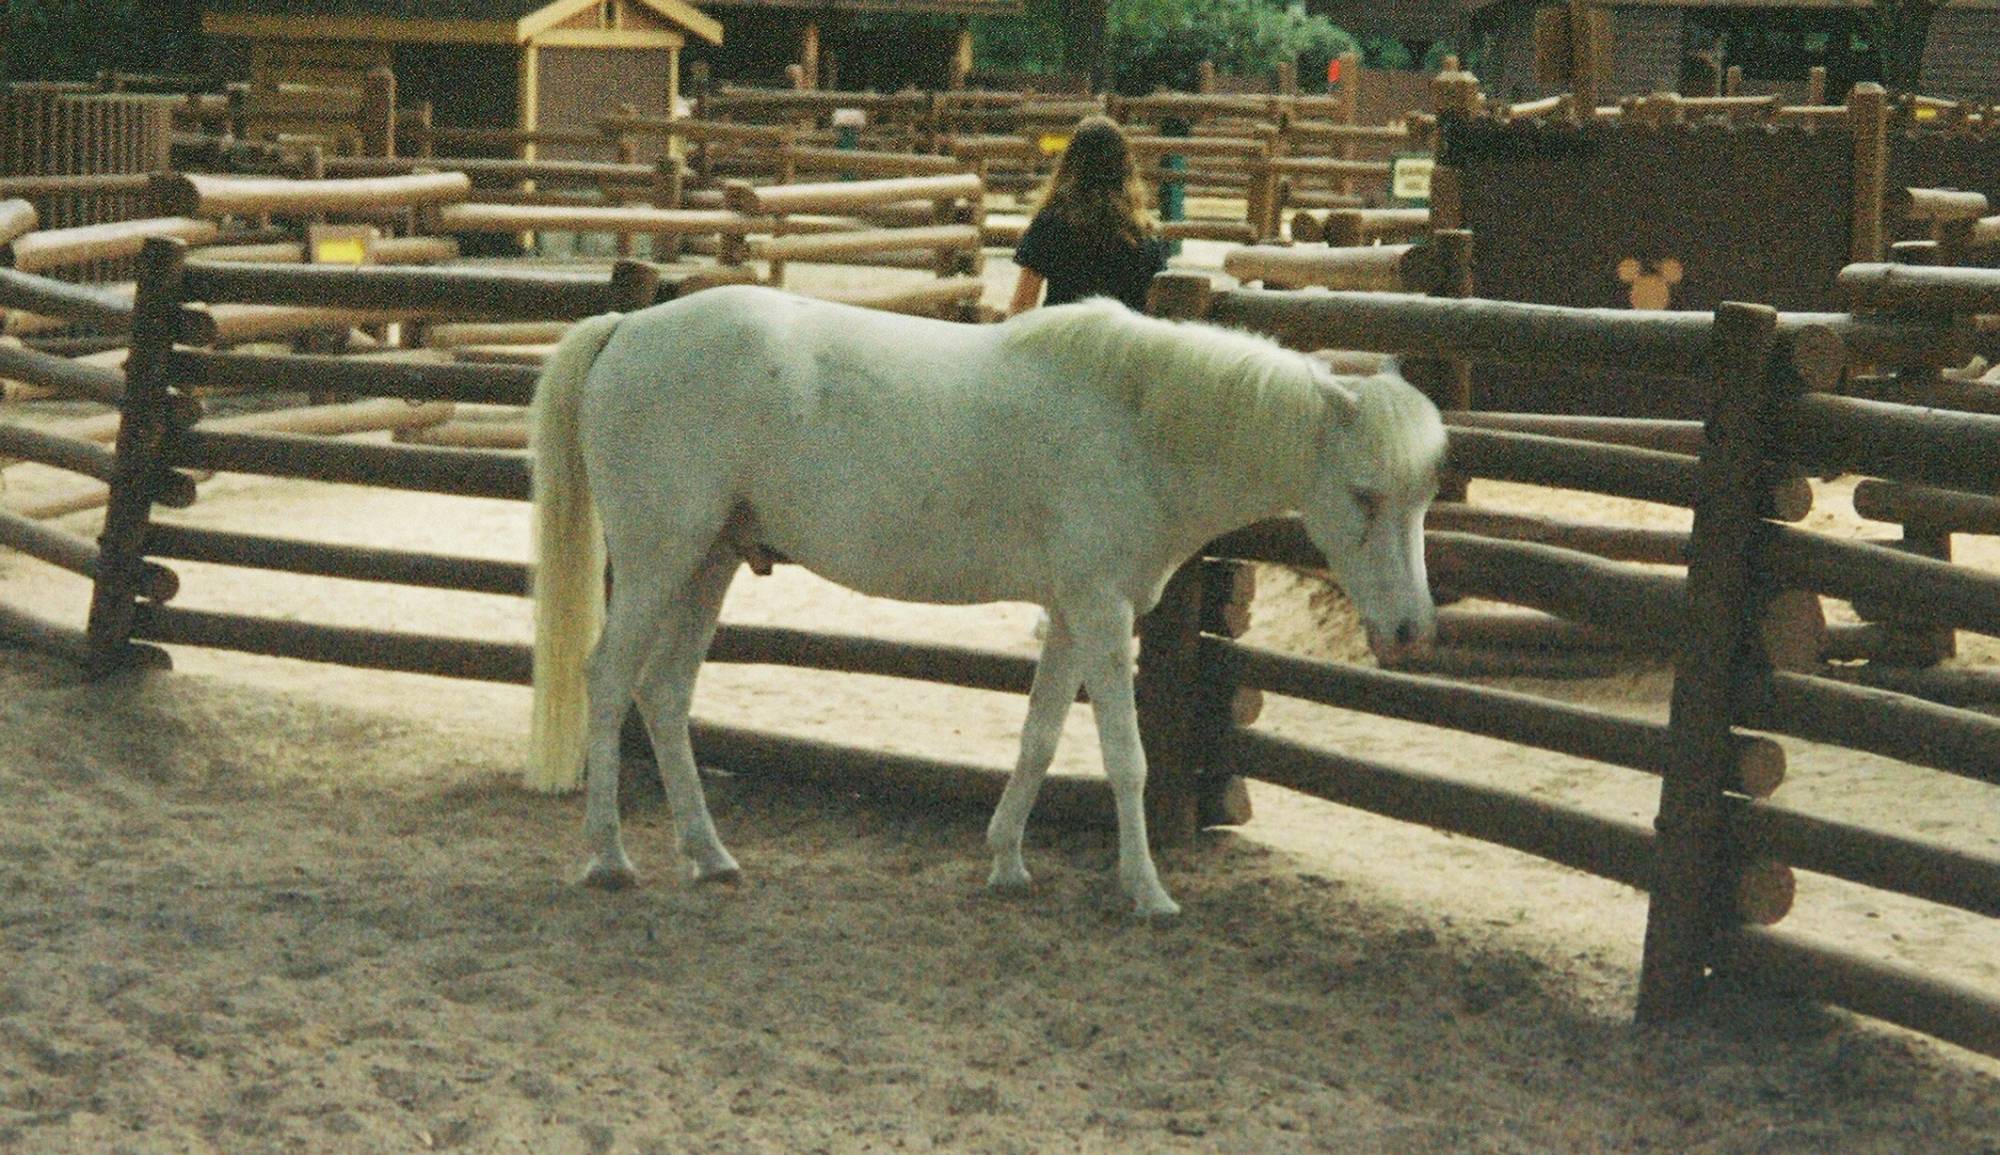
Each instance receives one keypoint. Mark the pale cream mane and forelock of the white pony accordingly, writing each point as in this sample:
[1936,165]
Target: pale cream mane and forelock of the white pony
[1213,395]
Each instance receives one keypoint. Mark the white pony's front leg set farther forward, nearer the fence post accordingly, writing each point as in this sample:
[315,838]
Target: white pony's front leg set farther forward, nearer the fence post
[1105,642]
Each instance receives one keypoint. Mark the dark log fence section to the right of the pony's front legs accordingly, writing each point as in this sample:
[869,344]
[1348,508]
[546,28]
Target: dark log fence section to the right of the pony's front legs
[1715,858]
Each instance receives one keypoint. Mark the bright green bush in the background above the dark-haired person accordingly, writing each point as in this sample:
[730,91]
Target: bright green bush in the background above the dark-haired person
[1163,43]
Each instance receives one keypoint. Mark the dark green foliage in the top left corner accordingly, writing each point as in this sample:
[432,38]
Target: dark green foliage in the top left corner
[77,39]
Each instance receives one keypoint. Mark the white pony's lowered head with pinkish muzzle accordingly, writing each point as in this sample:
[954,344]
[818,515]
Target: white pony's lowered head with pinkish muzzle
[1377,473]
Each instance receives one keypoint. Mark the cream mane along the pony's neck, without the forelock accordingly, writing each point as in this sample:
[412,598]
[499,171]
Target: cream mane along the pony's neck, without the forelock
[1201,393]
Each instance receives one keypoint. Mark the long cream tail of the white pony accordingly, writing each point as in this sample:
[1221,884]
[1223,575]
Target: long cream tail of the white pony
[569,563]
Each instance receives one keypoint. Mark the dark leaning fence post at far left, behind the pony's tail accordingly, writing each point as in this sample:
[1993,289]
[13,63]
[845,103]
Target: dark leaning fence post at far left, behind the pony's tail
[147,421]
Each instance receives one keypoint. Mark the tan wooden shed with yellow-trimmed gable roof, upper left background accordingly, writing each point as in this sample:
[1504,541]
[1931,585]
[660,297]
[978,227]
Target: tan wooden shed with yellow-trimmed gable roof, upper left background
[479,63]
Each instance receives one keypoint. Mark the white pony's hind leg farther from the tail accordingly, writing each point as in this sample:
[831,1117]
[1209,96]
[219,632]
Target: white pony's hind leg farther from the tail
[667,694]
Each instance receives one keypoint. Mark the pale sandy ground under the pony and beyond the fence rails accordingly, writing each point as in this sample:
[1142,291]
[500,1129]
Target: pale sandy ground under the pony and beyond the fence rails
[267,906]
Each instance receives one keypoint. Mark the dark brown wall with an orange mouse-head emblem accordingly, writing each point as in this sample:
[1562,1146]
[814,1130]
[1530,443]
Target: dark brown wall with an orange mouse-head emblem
[1691,215]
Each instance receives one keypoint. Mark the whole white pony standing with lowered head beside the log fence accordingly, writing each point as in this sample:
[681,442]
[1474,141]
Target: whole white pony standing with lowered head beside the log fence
[1071,457]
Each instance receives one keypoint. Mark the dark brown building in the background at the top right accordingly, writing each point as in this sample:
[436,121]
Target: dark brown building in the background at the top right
[1655,41]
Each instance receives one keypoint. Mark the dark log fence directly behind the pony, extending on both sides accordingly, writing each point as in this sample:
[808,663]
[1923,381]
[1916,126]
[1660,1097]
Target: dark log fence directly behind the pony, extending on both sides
[1721,854]
